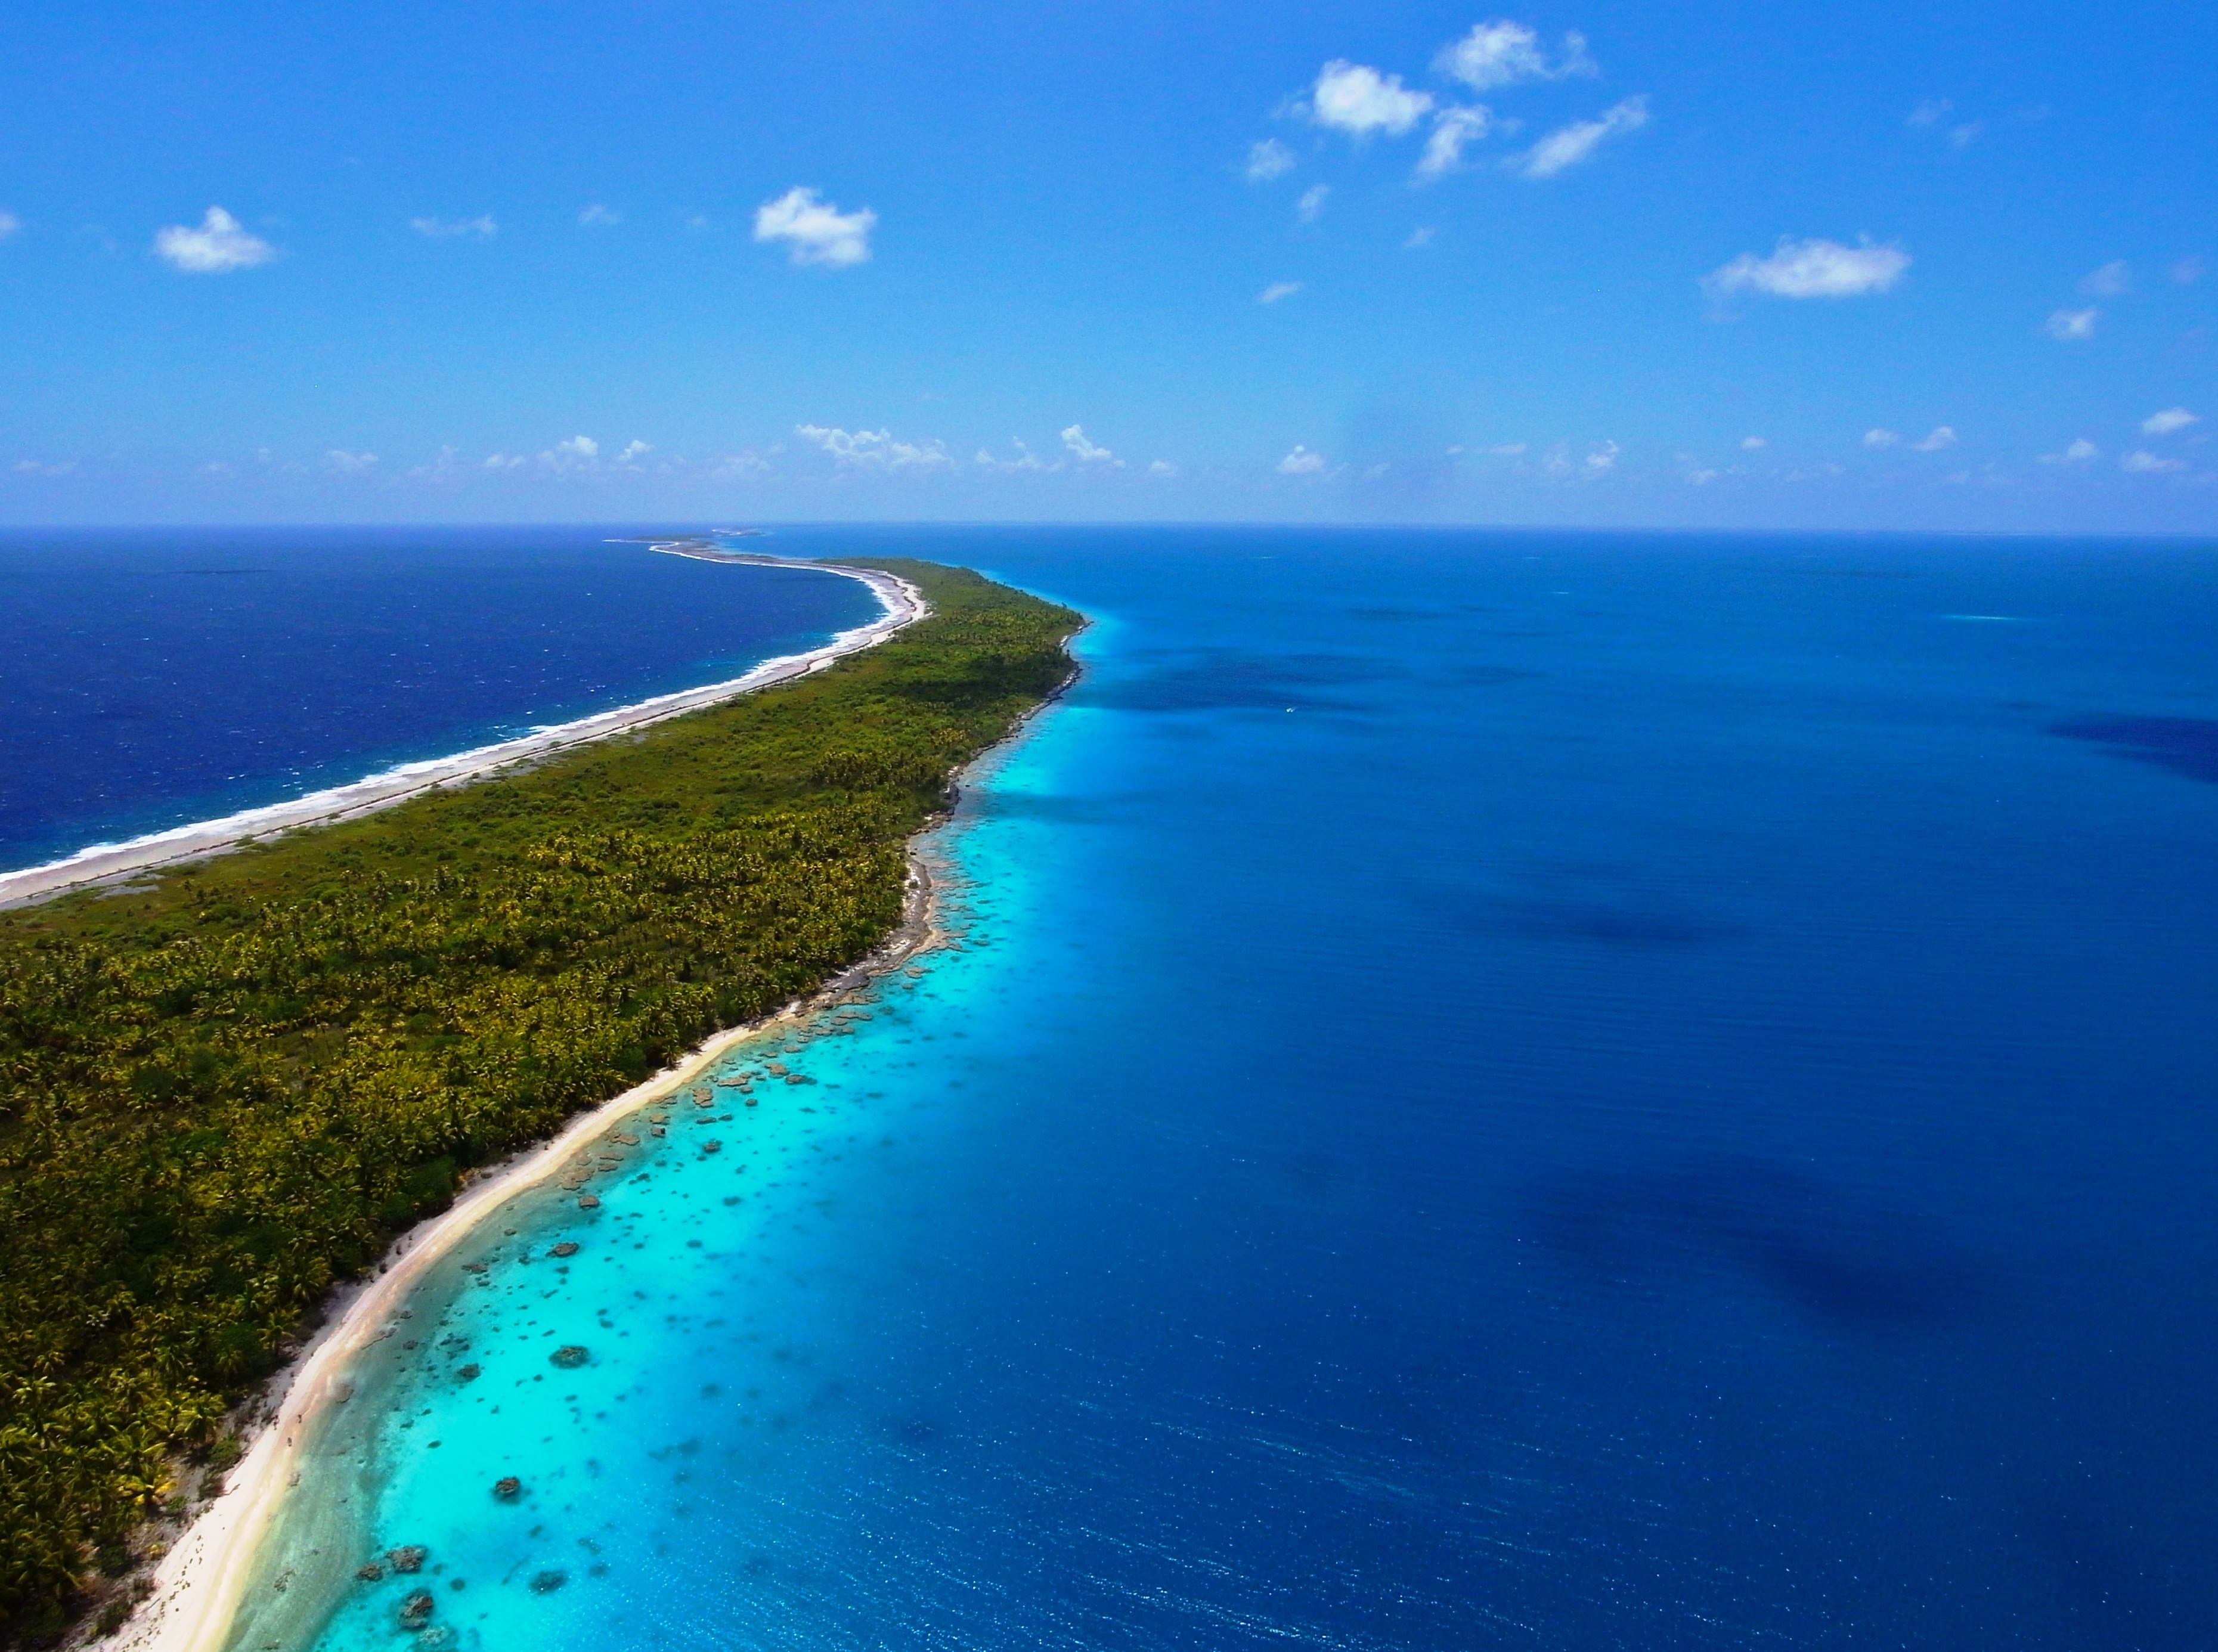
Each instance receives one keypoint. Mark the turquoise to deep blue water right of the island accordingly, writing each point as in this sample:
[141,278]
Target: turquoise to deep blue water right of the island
[1496,1092]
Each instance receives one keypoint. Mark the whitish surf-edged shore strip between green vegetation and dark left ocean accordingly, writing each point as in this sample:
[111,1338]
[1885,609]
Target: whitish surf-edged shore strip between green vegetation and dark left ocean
[121,861]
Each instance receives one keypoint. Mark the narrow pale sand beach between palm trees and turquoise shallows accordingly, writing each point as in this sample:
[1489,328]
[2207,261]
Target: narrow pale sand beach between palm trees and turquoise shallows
[205,1575]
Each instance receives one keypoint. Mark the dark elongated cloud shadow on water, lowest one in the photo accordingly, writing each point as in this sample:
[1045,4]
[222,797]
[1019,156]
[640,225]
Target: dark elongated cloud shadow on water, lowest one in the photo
[1809,1241]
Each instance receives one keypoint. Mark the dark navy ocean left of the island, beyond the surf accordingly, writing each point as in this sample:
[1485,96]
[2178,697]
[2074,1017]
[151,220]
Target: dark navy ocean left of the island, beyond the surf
[150,680]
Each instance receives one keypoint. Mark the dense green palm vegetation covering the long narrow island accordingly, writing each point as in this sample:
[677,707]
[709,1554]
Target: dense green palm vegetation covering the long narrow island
[230,1092]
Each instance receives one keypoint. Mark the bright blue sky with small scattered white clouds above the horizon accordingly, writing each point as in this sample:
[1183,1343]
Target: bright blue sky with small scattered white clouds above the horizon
[1824,265]
